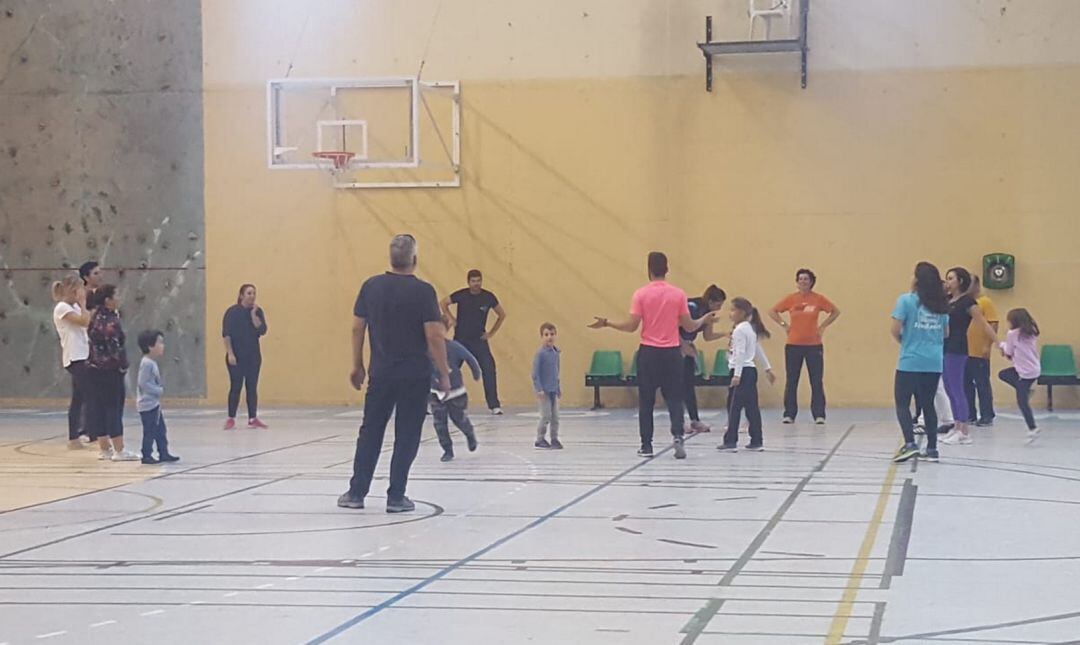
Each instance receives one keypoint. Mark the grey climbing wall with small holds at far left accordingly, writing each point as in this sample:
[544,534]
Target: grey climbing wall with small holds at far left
[101,158]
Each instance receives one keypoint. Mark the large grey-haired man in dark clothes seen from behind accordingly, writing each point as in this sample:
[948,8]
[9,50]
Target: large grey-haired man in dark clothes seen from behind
[401,314]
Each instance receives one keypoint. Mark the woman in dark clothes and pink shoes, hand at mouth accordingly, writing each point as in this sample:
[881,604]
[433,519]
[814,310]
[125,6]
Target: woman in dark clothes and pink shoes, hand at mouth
[241,329]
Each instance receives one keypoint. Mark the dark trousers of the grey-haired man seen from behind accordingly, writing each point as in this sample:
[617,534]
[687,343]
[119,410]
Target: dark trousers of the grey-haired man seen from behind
[410,398]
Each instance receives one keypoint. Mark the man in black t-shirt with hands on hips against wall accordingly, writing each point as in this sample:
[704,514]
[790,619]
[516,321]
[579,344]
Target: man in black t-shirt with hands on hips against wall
[470,330]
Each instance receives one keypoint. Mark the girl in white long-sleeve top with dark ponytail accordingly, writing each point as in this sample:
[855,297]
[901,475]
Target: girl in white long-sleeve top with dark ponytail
[745,352]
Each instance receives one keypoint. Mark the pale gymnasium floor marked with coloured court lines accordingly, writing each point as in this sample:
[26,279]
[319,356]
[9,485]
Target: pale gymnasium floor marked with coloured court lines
[819,540]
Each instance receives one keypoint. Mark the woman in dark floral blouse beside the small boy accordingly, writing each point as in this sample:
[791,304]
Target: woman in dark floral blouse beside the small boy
[109,364]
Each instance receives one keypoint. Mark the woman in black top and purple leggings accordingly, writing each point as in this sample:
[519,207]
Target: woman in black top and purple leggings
[962,312]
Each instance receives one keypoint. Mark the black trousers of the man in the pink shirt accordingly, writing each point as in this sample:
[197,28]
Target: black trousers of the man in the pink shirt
[659,368]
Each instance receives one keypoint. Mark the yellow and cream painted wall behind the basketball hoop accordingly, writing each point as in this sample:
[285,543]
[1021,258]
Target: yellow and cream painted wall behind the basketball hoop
[890,157]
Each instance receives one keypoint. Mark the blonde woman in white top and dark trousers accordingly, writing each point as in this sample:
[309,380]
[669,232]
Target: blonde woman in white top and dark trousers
[72,318]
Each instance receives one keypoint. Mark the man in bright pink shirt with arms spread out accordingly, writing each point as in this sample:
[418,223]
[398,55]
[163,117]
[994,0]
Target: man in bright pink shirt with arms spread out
[659,310]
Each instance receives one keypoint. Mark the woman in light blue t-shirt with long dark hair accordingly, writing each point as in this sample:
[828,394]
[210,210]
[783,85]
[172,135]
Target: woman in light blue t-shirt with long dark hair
[921,326]
